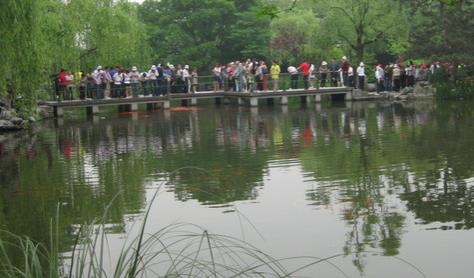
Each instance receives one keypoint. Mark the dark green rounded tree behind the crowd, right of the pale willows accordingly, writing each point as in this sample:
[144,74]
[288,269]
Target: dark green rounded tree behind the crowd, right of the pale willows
[202,33]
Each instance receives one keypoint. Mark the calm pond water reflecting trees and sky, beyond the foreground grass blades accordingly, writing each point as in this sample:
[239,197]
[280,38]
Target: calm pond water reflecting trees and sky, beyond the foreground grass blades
[384,185]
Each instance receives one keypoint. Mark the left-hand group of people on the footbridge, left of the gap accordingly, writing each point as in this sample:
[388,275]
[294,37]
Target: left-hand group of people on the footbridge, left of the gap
[118,82]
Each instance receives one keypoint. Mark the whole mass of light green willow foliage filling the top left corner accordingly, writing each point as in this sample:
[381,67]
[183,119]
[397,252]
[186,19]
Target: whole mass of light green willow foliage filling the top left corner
[39,37]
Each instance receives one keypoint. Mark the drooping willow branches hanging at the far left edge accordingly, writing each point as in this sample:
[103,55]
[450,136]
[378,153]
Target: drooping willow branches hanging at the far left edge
[21,44]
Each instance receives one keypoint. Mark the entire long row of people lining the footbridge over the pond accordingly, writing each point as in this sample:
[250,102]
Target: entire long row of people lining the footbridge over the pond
[248,76]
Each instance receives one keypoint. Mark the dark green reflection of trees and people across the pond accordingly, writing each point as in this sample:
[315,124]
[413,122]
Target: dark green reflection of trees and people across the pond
[372,163]
